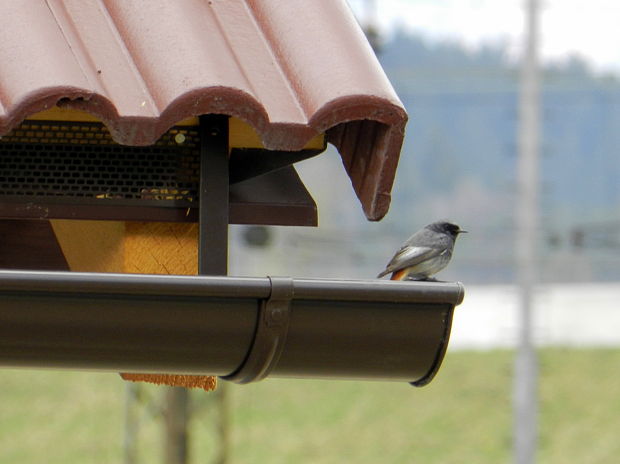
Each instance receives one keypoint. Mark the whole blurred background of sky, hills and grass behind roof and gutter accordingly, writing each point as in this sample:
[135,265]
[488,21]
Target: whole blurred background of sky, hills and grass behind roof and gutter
[455,65]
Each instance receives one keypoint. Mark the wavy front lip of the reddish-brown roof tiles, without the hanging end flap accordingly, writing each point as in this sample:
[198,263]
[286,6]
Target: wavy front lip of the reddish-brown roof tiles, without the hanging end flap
[145,130]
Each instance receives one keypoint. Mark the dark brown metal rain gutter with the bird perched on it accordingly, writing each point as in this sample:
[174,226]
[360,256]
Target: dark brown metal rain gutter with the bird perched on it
[240,328]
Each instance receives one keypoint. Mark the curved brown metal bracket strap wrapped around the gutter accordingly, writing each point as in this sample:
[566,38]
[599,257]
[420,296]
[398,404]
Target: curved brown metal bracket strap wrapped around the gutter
[271,332]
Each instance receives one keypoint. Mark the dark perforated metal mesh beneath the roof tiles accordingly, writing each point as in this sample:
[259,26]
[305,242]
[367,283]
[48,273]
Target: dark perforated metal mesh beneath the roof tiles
[80,161]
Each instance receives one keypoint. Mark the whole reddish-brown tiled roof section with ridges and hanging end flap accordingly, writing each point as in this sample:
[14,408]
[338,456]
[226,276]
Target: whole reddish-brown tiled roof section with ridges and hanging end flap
[143,65]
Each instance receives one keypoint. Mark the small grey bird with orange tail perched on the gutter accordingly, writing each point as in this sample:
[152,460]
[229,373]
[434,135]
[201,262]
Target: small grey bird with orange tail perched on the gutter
[425,253]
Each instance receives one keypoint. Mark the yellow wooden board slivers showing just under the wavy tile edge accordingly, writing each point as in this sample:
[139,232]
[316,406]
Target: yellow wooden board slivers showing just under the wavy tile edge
[241,134]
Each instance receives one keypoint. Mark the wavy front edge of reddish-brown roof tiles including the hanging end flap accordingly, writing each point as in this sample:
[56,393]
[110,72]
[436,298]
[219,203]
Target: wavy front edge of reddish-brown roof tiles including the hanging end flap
[368,131]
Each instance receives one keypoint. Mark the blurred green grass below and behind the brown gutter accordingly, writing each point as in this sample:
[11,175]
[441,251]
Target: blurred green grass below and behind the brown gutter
[464,415]
